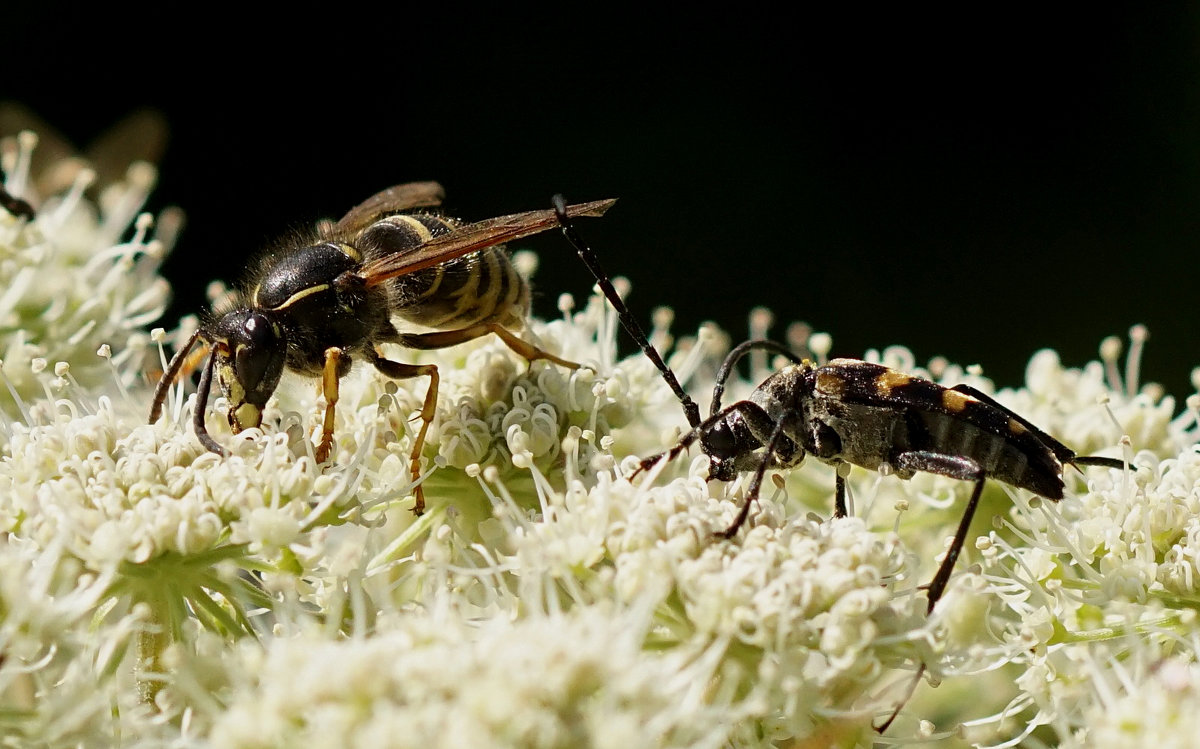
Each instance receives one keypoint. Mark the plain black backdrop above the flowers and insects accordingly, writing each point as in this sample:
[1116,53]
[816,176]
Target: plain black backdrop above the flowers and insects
[975,184]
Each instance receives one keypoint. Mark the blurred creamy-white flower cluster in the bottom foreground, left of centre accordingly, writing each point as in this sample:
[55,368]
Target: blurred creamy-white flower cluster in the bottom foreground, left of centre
[579,679]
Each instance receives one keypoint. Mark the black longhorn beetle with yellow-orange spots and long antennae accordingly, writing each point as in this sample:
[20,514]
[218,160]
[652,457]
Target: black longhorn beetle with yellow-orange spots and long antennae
[860,414]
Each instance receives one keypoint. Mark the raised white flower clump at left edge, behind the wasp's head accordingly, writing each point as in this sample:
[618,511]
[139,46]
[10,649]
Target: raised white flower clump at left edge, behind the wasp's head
[71,284]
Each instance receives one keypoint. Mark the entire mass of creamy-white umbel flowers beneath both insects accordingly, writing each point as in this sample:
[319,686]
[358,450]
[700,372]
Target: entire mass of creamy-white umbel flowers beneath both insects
[154,594]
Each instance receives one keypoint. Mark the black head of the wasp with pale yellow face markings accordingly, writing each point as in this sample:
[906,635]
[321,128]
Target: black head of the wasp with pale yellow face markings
[250,351]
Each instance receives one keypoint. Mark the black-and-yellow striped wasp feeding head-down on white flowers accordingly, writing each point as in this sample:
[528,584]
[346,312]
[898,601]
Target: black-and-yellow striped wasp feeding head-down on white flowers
[325,302]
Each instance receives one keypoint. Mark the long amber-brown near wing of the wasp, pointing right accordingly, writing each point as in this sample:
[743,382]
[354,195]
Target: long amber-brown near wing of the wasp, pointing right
[472,238]
